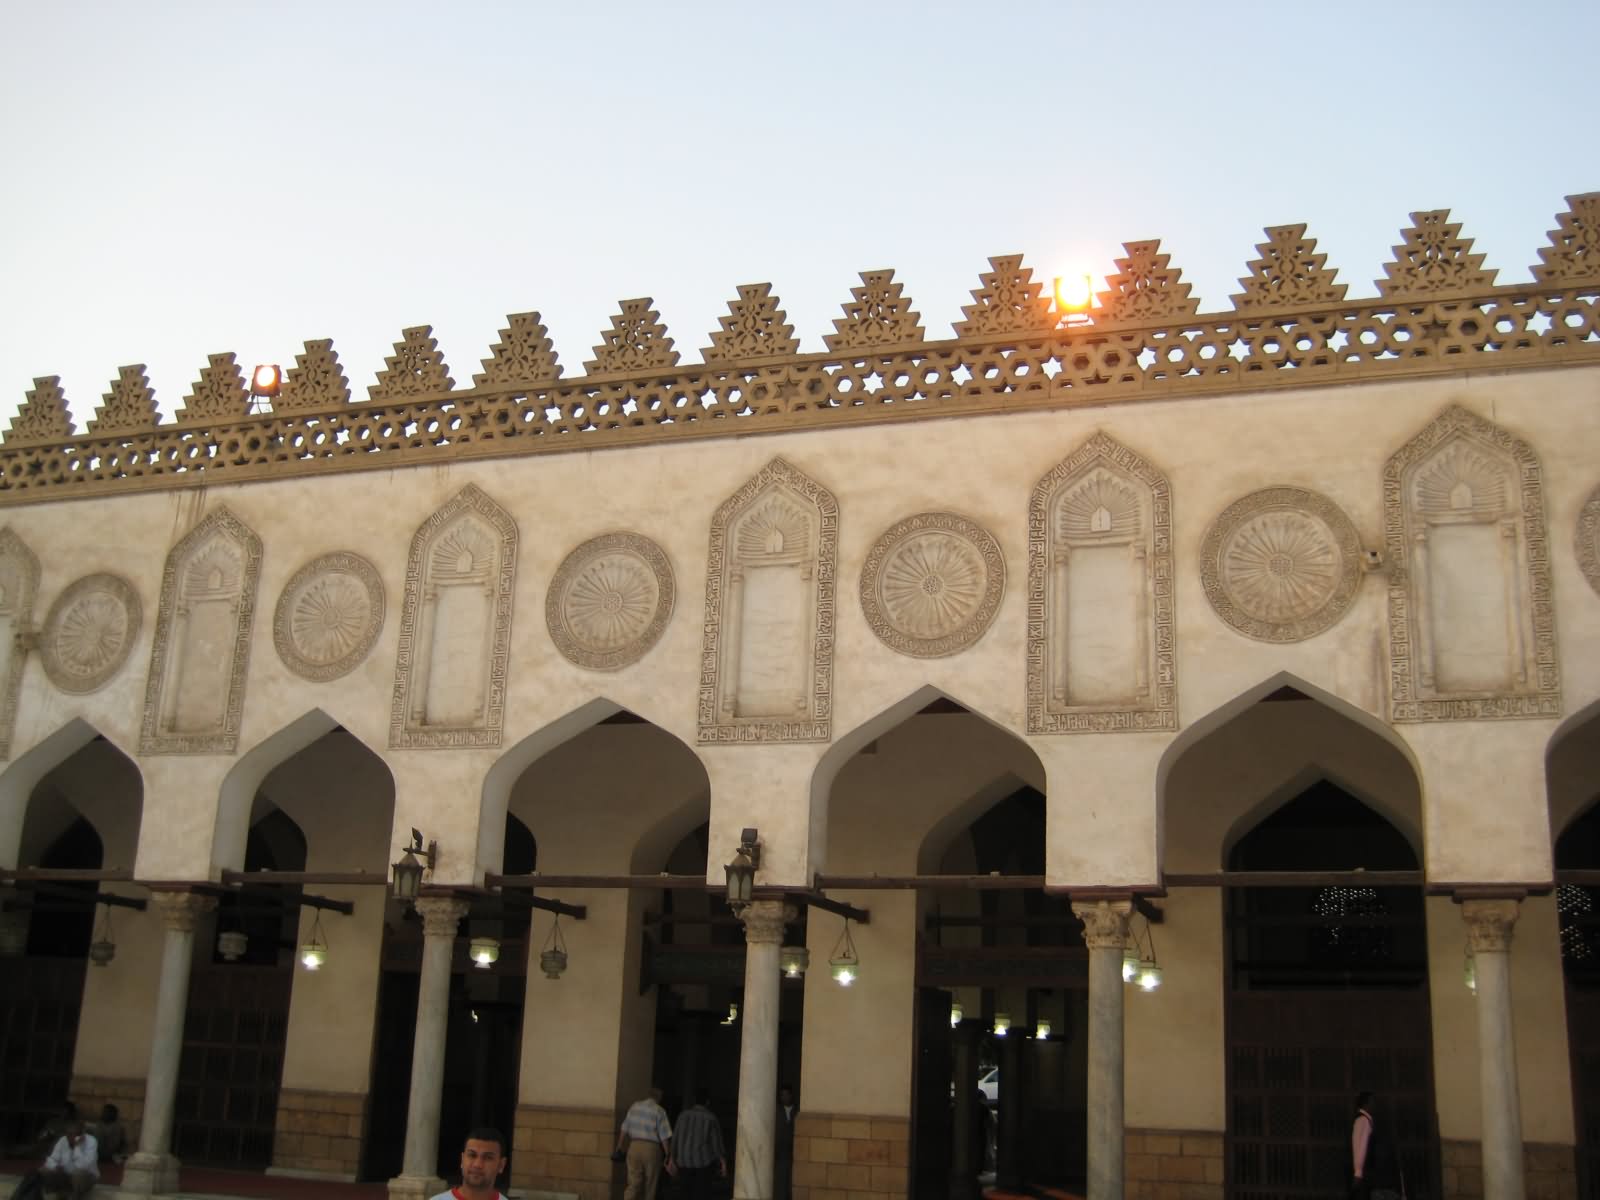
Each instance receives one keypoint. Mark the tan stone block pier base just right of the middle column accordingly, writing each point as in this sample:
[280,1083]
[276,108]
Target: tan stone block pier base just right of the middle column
[841,1158]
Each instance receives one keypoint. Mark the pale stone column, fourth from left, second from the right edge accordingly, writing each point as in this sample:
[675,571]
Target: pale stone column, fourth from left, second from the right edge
[1106,935]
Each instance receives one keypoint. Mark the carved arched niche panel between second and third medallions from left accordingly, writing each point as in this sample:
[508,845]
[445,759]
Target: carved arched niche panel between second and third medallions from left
[455,628]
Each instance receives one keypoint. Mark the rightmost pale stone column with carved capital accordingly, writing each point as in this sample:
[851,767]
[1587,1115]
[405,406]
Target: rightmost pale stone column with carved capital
[1489,934]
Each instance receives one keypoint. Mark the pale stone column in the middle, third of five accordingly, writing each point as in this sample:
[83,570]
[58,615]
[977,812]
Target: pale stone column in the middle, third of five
[753,1159]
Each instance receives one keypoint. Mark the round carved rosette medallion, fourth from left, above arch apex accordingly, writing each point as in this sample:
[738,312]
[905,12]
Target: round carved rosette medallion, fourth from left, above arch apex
[932,585]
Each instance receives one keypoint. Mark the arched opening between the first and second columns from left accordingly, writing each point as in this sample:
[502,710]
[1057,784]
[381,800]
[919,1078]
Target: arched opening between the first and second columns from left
[276,1054]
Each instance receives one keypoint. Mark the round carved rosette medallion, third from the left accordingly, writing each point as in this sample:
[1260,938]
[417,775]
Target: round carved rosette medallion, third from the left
[610,601]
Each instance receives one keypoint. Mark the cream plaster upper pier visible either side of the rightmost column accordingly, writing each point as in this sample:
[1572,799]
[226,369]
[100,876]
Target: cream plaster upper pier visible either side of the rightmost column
[1540,1014]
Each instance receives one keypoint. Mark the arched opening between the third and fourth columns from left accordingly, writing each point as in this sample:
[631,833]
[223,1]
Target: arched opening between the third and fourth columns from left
[934,790]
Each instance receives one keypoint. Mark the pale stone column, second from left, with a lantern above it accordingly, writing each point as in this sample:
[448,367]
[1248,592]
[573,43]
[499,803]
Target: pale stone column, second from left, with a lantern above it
[418,1177]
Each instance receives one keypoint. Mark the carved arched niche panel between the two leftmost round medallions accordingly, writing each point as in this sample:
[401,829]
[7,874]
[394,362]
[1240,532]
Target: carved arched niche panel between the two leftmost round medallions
[202,641]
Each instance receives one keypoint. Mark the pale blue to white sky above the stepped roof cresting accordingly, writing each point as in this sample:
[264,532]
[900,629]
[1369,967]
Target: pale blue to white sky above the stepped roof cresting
[190,178]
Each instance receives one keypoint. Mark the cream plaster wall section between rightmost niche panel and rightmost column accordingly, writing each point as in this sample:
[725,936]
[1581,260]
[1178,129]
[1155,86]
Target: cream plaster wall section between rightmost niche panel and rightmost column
[1487,806]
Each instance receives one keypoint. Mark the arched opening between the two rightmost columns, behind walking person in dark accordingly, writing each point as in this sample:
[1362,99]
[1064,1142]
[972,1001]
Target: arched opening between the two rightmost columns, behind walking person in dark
[1314,818]
